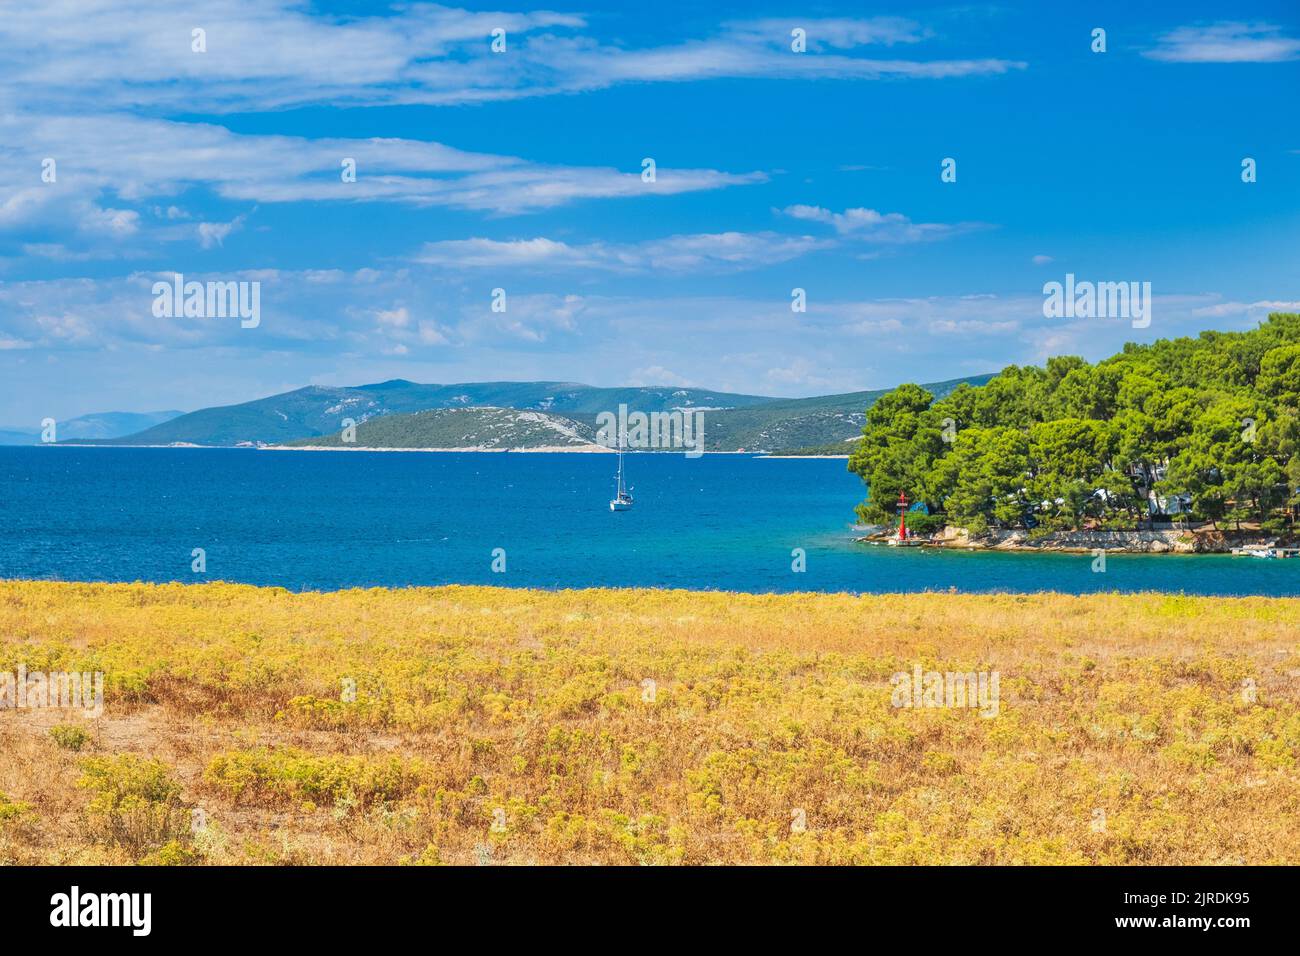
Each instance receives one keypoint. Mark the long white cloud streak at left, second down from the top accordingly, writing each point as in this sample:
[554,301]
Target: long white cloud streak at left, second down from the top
[99,162]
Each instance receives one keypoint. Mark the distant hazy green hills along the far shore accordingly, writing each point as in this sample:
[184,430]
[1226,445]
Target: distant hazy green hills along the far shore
[504,416]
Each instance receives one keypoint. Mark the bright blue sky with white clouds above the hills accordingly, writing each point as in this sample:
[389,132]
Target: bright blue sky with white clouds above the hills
[522,171]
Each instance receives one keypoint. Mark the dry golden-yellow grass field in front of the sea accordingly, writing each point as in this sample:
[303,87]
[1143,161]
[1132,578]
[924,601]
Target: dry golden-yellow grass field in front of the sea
[461,725]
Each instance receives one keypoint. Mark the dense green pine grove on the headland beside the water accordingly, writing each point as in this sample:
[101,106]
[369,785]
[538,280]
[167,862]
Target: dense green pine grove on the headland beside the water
[1193,431]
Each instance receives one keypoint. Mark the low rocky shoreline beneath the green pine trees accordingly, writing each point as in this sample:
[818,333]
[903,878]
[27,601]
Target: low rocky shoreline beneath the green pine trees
[1172,542]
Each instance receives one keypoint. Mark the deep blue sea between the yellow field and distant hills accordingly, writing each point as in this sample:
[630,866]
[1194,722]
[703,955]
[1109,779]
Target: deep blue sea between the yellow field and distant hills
[326,521]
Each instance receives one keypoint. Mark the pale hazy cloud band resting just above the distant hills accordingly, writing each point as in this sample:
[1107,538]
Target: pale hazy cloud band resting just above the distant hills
[369,326]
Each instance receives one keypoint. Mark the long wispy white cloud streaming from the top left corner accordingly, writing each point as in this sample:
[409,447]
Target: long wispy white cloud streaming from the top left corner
[275,54]
